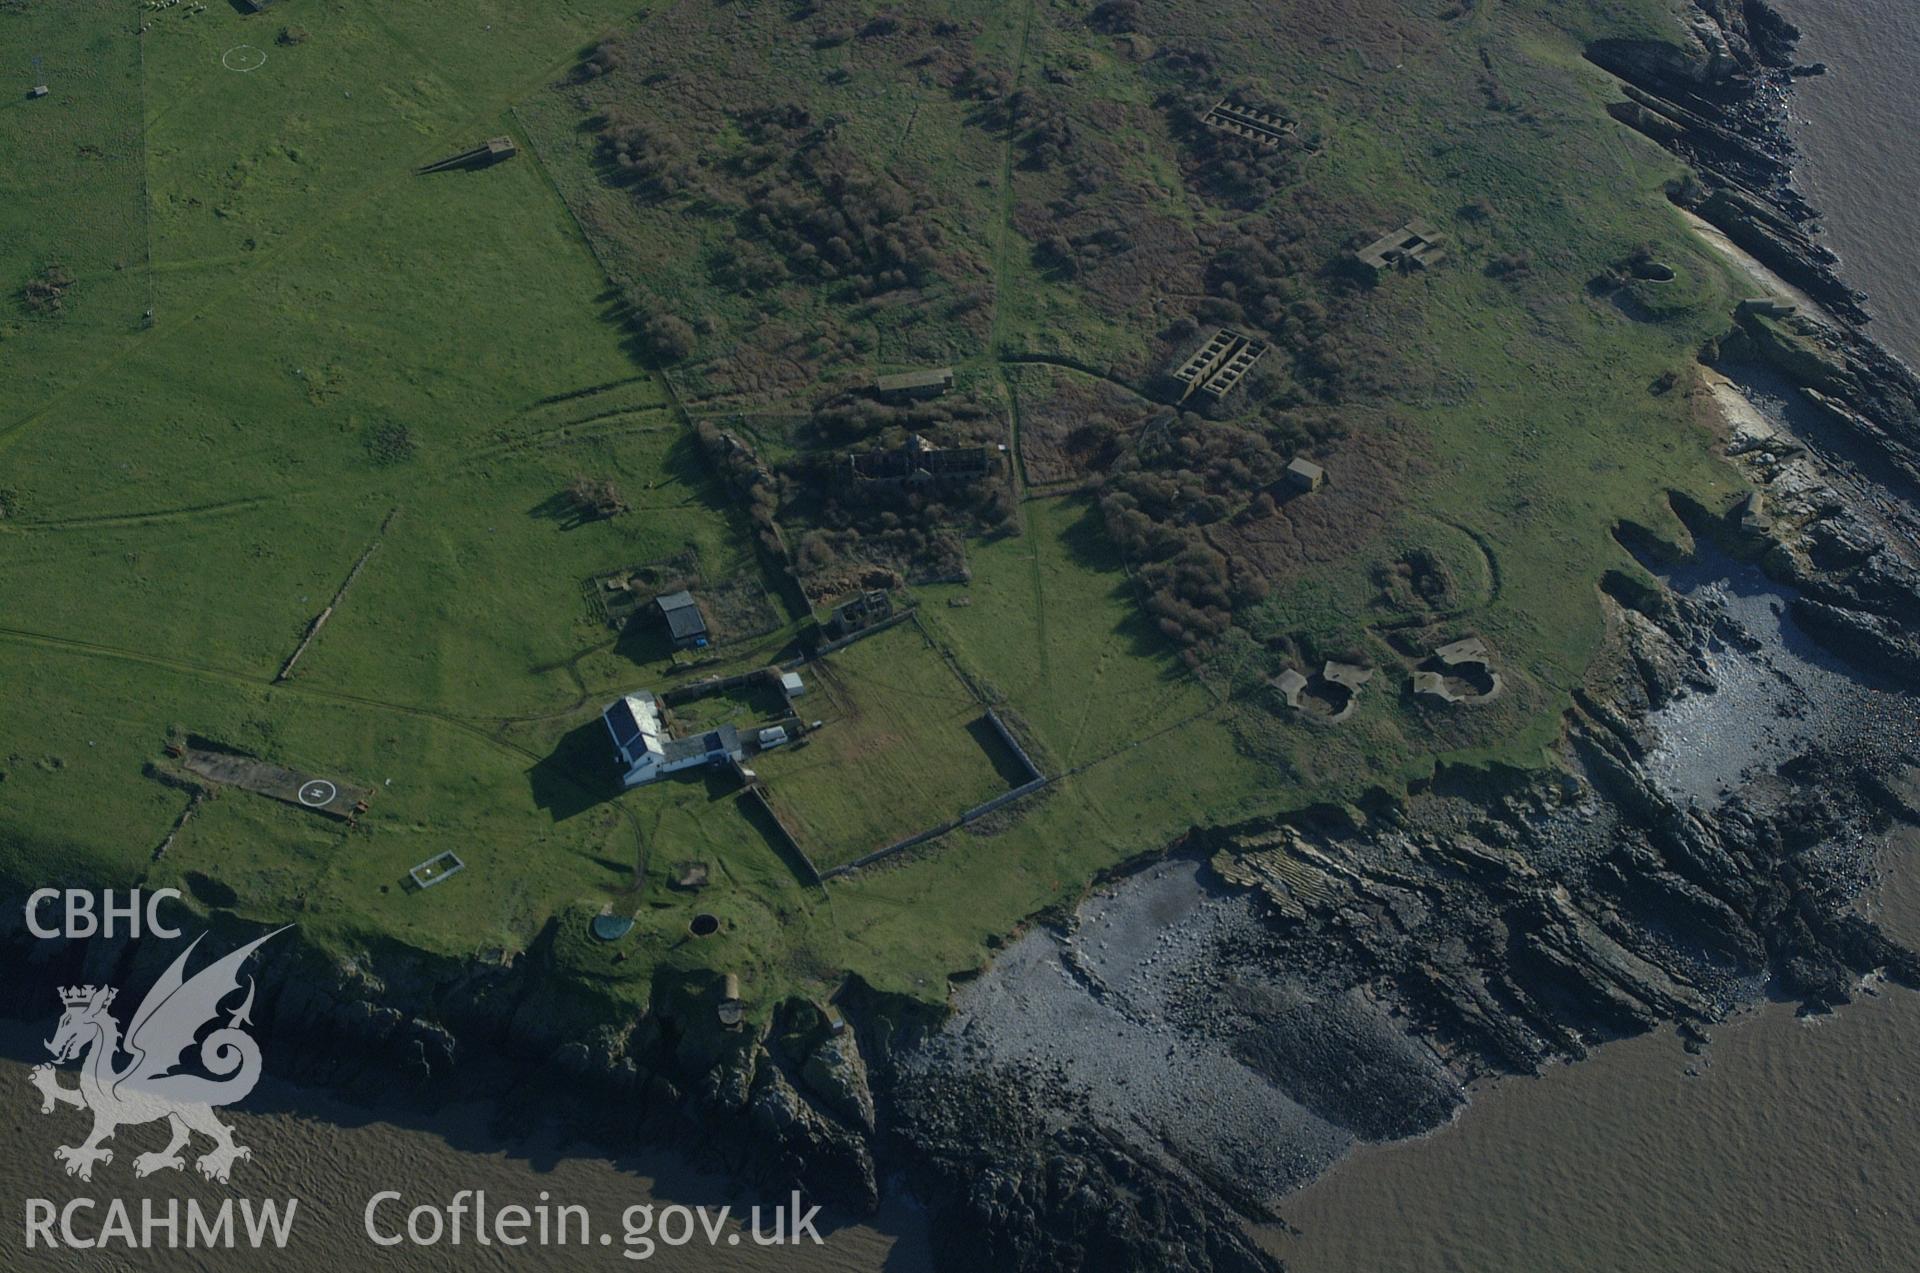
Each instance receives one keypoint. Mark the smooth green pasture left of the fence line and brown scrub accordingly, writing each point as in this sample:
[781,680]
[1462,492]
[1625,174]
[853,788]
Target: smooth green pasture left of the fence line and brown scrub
[195,494]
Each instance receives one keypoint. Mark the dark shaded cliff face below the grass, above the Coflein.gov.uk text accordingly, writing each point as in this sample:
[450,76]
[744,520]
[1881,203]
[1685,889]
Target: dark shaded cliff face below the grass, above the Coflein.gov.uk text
[784,1105]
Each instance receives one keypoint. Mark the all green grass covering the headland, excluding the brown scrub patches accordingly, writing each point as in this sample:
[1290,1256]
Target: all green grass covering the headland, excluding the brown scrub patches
[348,356]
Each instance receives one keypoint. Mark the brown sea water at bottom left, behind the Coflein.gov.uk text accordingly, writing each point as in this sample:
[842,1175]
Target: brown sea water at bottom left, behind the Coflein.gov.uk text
[335,1157]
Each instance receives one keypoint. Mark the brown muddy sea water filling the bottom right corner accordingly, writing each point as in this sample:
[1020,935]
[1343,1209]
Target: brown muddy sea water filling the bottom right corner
[1792,1147]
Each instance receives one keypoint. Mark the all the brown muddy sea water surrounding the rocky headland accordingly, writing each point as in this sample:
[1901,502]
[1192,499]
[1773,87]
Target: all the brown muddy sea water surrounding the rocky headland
[1790,1145]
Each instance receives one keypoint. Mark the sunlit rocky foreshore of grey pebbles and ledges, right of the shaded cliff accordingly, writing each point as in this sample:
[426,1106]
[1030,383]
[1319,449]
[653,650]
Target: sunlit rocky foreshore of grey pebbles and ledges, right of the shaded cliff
[1499,923]
